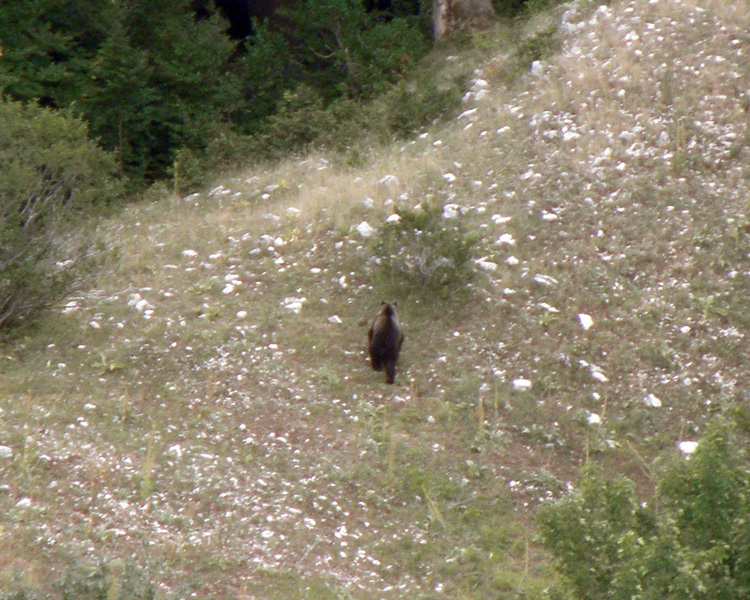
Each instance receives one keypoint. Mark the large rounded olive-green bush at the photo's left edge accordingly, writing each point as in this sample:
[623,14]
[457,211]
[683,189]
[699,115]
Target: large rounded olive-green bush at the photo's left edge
[53,176]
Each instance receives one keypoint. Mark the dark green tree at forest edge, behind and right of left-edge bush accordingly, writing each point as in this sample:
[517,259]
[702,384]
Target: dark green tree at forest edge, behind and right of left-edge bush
[155,89]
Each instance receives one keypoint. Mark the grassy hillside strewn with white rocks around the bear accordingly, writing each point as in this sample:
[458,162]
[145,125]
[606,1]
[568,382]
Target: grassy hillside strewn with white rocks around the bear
[204,410]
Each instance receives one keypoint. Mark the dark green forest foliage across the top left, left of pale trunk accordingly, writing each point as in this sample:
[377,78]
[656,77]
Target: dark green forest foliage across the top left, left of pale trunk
[154,78]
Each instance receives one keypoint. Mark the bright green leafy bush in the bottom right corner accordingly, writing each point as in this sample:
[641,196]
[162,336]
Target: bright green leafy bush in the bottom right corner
[690,541]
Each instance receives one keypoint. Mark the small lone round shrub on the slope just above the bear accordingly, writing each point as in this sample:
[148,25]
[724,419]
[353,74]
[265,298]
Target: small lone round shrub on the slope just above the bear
[424,251]
